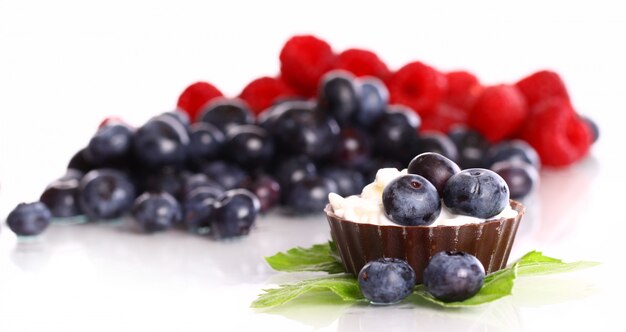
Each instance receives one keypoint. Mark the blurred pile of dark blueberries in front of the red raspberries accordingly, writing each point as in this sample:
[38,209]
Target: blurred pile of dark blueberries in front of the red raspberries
[215,175]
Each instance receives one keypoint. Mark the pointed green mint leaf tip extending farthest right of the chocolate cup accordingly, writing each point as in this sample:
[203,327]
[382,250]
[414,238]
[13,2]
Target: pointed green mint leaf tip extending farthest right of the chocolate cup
[535,263]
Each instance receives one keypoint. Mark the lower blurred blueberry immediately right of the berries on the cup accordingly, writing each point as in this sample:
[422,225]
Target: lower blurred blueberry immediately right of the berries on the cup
[520,176]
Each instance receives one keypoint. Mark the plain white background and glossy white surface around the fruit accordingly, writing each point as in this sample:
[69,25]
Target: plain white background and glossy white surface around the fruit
[65,65]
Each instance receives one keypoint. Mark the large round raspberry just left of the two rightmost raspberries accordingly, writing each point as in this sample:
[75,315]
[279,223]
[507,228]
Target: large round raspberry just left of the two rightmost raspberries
[499,112]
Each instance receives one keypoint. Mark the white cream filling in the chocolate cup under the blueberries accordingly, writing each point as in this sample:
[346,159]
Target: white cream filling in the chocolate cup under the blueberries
[368,207]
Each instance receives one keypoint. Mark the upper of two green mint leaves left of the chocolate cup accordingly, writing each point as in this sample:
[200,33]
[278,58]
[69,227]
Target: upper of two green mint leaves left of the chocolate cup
[318,258]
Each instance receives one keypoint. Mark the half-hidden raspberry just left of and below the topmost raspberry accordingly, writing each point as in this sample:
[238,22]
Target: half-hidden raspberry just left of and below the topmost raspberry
[263,92]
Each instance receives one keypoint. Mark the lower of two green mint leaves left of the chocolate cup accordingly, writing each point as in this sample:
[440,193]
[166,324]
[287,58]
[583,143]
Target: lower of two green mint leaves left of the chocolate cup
[345,286]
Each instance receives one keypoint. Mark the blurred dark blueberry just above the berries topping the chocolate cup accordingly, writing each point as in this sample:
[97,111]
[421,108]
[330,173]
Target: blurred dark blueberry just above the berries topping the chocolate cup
[395,133]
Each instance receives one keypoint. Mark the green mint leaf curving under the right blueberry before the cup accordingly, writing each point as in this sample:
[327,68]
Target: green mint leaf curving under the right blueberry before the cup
[497,285]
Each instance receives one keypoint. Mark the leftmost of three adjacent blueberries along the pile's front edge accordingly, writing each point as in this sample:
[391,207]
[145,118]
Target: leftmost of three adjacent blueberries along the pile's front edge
[156,211]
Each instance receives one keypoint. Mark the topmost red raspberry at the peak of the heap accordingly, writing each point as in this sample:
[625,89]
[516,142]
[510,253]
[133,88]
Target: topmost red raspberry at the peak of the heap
[303,61]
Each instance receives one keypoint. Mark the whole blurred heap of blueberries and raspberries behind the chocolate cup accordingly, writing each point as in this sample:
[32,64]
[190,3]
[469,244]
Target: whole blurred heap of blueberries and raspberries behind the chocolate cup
[326,124]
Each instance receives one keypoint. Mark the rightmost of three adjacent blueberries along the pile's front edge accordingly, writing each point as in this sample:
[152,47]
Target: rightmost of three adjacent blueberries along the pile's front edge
[234,214]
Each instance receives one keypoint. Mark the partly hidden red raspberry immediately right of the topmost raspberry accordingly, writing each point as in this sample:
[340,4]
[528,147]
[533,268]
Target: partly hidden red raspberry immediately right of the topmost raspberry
[362,63]
